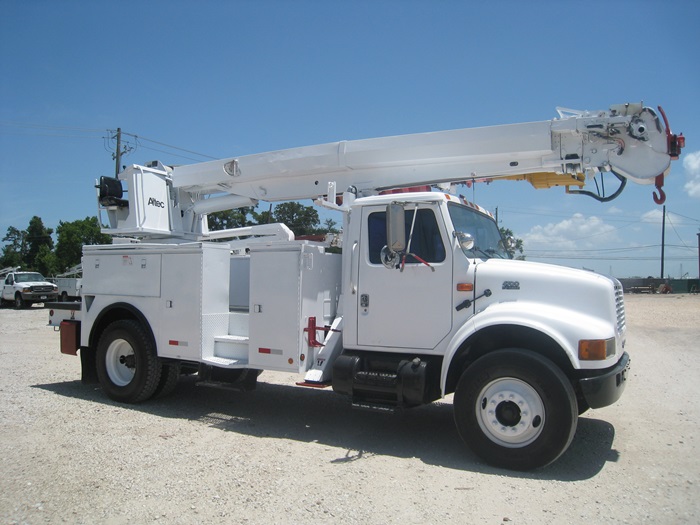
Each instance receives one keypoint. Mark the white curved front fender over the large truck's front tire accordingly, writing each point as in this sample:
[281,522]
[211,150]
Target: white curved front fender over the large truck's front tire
[564,326]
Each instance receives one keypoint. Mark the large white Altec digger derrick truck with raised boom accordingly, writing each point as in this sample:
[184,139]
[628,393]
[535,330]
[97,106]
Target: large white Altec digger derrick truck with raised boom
[422,302]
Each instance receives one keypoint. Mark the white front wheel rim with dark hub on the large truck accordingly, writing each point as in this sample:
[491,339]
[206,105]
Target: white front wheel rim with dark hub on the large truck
[510,412]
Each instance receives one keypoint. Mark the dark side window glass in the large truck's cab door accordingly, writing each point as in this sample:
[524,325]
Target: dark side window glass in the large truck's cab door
[426,241]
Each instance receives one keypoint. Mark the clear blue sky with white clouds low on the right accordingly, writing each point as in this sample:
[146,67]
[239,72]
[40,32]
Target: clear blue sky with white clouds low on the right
[233,78]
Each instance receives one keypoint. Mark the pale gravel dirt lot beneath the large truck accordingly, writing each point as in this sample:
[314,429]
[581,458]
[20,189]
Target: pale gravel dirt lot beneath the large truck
[285,454]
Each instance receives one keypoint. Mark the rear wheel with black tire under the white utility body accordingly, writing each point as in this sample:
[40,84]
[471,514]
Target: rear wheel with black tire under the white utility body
[128,368]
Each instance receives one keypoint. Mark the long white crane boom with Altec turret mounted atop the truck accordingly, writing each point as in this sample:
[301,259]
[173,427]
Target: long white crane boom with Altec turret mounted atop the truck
[629,141]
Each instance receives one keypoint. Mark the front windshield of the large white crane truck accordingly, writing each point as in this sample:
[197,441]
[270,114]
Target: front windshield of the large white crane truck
[483,230]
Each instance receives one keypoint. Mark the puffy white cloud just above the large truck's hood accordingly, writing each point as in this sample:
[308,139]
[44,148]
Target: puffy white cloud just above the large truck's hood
[577,233]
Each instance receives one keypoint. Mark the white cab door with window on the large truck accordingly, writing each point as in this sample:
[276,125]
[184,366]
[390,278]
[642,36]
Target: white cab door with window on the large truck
[408,307]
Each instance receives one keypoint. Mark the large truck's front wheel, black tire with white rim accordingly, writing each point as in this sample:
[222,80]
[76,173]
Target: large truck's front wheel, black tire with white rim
[515,409]
